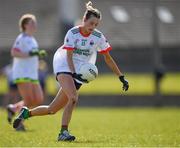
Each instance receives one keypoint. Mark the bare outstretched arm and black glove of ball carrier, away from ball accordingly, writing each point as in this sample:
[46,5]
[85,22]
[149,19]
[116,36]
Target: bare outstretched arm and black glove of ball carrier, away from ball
[113,66]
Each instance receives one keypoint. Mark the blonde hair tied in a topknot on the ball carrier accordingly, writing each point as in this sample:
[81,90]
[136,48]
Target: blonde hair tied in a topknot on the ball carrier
[91,11]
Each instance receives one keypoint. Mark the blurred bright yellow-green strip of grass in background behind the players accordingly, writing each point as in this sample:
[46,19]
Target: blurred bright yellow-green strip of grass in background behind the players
[140,84]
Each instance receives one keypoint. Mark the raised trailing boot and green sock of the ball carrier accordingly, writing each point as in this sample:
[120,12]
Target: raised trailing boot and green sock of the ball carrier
[24,114]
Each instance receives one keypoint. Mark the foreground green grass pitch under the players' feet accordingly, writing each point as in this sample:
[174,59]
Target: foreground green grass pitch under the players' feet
[142,127]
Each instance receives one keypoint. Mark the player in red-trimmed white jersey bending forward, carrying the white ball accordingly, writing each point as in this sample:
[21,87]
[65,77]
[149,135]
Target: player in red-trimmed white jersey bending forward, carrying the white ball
[80,45]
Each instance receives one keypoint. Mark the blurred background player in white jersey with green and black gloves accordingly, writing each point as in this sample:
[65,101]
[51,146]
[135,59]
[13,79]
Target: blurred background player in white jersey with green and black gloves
[25,67]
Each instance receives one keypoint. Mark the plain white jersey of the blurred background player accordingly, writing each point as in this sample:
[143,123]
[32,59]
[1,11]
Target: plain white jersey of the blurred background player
[25,67]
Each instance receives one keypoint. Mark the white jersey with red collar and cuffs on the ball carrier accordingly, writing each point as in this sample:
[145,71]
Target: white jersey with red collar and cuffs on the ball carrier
[84,48]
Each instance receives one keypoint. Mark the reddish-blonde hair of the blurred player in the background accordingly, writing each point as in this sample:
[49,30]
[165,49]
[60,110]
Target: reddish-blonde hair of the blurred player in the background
[24,20]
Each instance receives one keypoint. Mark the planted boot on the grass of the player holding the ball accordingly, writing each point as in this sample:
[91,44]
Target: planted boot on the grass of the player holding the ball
[65,136]
